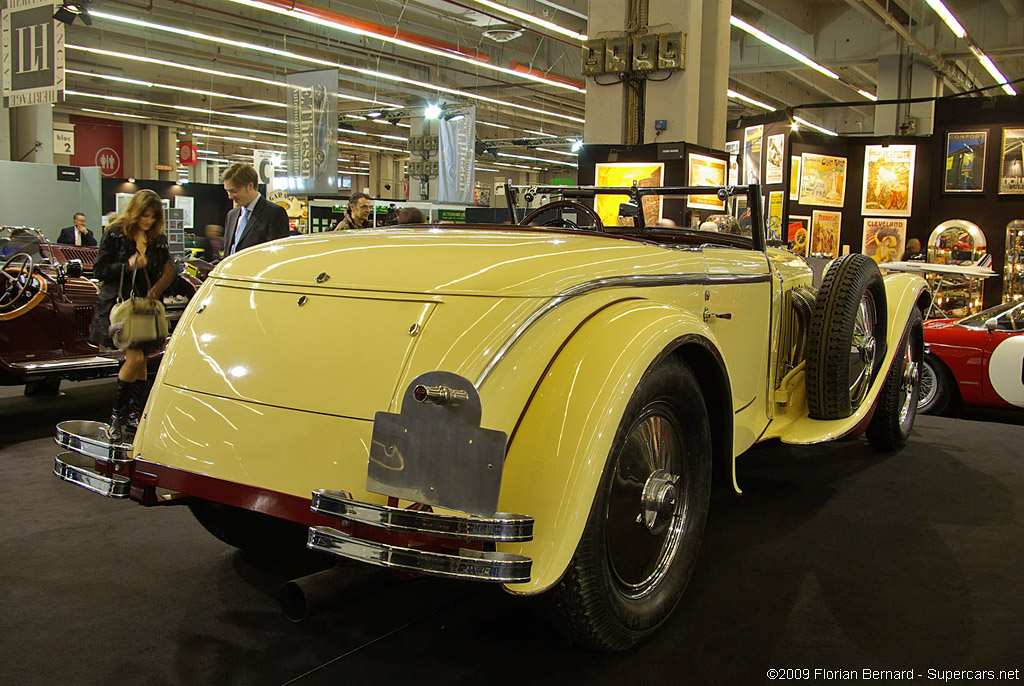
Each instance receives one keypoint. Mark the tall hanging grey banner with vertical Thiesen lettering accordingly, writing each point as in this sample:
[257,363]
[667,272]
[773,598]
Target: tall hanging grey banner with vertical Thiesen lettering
[312,159]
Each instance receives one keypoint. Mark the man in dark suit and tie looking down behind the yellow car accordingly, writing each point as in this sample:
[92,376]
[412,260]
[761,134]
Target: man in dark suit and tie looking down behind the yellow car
[254,221]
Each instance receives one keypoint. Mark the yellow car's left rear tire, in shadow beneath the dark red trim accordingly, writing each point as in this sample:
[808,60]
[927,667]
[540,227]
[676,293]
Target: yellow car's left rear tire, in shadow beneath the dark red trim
[248,531]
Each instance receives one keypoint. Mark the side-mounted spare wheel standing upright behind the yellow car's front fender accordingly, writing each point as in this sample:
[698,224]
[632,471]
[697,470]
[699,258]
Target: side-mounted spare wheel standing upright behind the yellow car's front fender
[847,337]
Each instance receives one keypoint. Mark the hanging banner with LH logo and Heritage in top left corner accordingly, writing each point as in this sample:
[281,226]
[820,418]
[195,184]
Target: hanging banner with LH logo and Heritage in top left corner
[33,59]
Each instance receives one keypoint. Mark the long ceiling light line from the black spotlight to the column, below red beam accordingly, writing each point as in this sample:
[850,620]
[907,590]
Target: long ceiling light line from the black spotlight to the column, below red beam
[221,40]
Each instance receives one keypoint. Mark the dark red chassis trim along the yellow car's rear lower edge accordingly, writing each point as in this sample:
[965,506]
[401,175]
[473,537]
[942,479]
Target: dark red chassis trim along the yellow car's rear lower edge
[147,478]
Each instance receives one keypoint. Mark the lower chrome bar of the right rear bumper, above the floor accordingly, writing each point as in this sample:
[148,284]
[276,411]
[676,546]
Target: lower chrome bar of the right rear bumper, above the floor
[466,565]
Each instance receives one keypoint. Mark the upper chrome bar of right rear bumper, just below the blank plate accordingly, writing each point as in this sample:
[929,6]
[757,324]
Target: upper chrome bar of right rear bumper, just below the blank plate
[500,529]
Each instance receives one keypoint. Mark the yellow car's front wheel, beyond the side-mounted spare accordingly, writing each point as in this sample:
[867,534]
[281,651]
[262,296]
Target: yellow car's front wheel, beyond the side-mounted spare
[898,404]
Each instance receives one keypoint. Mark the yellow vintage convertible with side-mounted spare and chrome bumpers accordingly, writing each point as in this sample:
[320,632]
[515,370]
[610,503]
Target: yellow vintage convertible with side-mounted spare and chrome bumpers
[540,406]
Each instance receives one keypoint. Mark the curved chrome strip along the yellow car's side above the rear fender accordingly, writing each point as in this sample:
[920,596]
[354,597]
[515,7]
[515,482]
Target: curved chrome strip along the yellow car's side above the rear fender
[636,281]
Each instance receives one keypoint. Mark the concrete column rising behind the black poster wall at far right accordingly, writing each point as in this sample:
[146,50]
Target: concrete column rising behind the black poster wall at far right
[902,76]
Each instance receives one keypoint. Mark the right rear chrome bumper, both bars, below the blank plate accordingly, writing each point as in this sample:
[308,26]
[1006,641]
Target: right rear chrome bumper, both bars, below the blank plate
[459,564]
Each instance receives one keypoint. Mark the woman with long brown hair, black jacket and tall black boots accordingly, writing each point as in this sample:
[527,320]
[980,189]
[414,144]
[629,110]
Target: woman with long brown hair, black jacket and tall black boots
[134,261]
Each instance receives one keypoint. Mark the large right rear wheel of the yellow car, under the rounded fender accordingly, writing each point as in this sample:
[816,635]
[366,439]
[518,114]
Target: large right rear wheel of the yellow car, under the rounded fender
[627,577]
